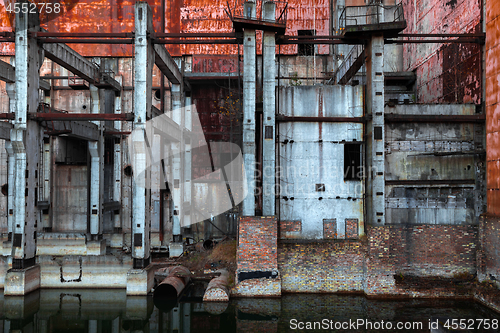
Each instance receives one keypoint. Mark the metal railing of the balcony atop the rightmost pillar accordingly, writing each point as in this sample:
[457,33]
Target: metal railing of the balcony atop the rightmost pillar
[370,14]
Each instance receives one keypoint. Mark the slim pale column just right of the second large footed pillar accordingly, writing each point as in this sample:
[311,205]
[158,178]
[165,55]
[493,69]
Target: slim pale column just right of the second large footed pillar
[176,248]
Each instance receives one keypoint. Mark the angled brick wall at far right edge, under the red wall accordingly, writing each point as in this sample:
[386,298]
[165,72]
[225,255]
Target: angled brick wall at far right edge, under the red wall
[489,253]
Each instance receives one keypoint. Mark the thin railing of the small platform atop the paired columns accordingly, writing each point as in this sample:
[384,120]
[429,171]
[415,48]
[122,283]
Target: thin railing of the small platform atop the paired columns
[240,11]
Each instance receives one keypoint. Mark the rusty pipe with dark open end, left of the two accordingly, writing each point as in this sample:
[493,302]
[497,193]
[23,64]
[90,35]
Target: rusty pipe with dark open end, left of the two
[172,286]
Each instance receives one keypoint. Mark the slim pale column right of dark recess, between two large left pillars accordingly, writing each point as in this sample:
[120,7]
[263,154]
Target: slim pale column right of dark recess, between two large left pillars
[96,188]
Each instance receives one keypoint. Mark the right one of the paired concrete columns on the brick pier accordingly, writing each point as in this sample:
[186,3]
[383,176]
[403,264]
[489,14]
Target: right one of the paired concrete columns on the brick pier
[269,108]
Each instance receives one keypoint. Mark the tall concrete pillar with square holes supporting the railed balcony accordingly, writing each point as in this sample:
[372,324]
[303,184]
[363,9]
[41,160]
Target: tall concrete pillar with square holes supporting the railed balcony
[375,131]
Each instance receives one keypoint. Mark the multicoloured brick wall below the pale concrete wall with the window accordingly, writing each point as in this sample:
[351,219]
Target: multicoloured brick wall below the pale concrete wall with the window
[328,266]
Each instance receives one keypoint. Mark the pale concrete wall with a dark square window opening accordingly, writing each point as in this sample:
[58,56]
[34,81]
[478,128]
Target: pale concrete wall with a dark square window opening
[312,153]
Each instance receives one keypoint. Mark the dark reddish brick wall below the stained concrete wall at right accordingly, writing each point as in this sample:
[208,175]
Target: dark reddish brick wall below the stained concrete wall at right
[424,251]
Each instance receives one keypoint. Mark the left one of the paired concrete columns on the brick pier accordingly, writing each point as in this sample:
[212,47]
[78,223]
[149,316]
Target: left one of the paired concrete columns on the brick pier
[249,63]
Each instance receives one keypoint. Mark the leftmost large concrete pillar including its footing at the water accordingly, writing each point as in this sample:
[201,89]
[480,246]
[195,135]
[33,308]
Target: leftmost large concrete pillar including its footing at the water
[25,139]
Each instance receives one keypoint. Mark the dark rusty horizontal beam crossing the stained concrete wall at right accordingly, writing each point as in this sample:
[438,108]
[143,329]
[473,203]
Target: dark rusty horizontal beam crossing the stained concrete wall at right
[419,118]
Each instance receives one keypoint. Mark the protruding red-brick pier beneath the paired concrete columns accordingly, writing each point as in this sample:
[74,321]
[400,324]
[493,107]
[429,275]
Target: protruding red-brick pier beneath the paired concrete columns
[257,244]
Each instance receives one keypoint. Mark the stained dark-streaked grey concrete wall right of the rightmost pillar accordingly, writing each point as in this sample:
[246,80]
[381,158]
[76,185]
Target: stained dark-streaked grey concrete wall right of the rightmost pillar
[433,175]
